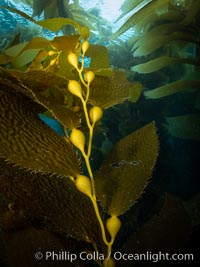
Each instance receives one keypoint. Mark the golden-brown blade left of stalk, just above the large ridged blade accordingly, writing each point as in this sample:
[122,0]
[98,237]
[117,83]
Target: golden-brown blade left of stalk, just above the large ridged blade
[48,90]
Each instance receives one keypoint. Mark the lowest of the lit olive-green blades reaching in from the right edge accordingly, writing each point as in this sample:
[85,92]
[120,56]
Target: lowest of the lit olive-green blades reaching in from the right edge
[172,88]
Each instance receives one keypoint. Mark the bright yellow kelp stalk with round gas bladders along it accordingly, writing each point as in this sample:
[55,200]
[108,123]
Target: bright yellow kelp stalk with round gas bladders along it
[83,183]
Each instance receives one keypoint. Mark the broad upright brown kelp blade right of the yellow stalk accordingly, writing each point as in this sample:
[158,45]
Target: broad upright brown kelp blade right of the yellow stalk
[125,174]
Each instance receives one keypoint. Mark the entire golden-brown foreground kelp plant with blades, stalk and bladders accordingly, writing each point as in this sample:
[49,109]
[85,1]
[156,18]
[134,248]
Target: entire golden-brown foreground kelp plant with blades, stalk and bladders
[47,182]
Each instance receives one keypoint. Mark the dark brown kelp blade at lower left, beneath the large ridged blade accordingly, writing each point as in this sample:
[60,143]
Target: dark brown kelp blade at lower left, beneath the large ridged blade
[52,200]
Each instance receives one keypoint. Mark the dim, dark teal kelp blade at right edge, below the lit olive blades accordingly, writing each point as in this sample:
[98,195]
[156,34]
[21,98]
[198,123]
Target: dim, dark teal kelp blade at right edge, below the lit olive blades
[185,127]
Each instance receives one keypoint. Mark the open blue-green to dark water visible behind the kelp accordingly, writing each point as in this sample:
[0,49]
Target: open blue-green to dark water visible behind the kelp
[176,174]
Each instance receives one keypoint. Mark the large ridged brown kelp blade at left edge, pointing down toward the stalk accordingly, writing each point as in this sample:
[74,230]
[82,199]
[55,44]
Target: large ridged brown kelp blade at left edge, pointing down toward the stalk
[26,141]
